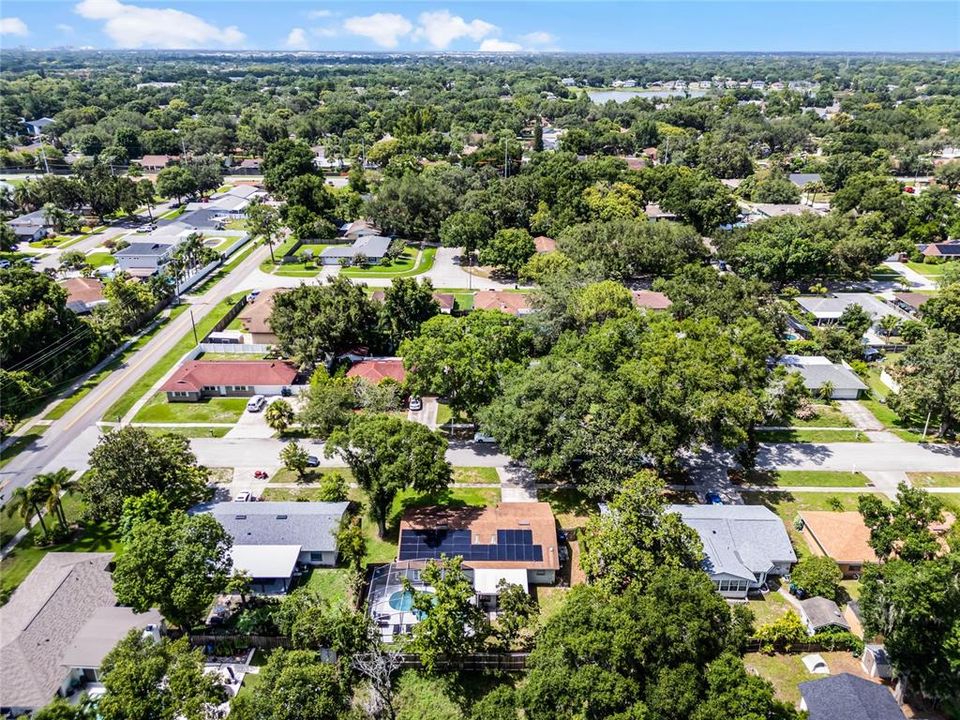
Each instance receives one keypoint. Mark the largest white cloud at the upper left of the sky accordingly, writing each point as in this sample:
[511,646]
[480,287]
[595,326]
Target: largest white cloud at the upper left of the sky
[131,26]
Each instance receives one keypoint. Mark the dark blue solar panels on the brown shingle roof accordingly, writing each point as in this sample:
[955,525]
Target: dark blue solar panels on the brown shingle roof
[512,545]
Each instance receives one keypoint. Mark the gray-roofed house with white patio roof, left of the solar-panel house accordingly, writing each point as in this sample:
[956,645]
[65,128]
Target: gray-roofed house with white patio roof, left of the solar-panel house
[275,536]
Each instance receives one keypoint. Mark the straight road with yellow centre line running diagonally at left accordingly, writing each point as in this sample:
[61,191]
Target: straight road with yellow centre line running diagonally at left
[78,426]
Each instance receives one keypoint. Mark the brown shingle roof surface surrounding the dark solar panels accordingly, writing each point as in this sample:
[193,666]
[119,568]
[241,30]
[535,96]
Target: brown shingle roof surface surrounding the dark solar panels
[483,524]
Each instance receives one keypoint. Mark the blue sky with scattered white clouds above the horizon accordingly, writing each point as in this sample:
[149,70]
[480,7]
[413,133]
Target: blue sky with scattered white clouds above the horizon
[495,25]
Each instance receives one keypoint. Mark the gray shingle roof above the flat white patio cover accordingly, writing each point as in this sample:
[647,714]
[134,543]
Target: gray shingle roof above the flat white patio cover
[312,525]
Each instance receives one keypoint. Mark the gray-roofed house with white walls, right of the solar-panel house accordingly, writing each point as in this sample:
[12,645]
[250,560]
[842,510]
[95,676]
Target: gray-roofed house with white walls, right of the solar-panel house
[742,545]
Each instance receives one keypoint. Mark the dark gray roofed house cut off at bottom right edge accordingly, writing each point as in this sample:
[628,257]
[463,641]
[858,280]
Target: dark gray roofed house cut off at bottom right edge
[848,697]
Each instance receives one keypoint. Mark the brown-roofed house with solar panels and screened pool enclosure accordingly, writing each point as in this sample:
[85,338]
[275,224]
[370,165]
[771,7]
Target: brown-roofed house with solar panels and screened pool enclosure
[514,543]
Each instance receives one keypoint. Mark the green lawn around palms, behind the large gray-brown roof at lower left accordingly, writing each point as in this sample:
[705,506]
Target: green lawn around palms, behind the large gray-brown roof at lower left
[90,537]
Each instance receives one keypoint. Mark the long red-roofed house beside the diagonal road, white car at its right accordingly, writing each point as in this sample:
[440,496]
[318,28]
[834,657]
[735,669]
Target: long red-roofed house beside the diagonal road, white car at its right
[198,379]
